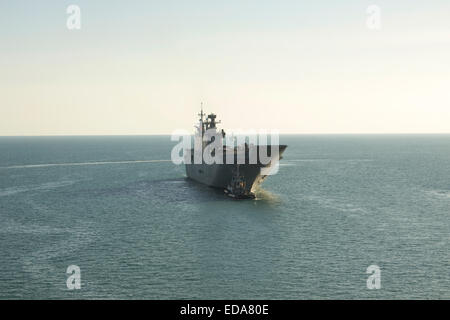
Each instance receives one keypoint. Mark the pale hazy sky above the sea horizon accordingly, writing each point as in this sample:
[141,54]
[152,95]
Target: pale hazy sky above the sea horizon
[143,67]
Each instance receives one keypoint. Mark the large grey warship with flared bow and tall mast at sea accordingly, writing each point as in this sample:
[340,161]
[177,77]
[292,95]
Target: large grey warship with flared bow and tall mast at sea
[250,164]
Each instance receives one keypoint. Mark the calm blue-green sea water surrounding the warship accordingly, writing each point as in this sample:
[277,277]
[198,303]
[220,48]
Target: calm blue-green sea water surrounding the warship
[142,230]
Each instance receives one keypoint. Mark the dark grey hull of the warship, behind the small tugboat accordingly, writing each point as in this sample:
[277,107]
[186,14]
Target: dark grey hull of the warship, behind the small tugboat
[219,175]
